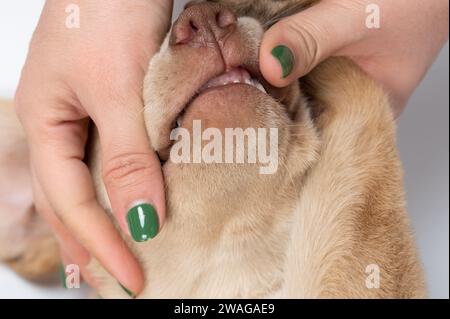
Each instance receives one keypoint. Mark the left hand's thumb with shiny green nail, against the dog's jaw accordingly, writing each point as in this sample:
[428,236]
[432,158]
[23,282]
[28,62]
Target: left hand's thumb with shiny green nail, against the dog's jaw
[131,169]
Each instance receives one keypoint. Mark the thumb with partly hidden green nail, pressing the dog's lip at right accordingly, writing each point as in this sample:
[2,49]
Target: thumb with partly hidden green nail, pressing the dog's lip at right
[296,44]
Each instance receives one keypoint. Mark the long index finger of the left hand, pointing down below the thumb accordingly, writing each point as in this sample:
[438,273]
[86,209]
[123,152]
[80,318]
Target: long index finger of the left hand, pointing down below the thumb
[57,156]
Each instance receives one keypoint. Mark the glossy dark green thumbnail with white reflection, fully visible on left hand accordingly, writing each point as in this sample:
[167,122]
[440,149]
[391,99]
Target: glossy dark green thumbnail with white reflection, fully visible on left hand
[143,222]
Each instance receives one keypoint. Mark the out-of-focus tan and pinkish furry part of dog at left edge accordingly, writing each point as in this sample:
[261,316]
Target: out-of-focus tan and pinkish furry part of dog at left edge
[26,243]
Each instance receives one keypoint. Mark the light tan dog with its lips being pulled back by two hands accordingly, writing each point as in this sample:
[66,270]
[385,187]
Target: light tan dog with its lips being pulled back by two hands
[330,218]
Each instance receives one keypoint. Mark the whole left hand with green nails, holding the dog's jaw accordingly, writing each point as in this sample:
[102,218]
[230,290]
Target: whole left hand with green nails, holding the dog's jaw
[95,71]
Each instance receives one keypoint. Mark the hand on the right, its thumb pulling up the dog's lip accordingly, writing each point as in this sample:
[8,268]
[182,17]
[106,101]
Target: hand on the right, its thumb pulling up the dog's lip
[397,55]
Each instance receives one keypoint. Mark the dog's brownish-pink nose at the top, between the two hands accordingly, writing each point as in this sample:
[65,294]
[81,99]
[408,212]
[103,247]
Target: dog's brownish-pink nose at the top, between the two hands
[203,24]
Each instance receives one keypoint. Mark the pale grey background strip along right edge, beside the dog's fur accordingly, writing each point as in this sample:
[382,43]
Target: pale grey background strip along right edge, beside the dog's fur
[423,139]
